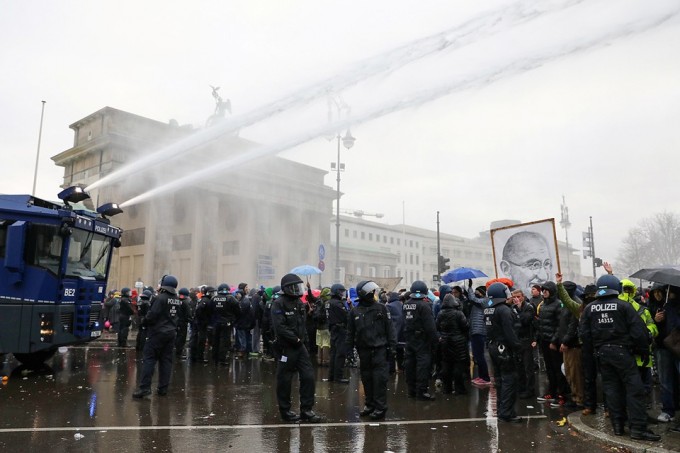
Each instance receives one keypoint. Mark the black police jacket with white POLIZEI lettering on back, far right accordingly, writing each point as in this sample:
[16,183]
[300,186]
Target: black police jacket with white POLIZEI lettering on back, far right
[610,321]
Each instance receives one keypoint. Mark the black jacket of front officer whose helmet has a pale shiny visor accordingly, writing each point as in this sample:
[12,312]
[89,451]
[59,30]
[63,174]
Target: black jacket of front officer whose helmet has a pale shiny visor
[370,327]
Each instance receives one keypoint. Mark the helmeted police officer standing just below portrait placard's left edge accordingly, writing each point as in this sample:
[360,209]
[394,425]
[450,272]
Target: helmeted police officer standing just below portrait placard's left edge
[504,349]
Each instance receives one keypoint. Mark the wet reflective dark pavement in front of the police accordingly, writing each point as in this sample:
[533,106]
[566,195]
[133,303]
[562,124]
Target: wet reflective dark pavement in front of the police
[83,402]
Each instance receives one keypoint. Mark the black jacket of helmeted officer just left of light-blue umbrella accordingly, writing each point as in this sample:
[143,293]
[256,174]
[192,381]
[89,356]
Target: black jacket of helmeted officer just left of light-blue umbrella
[288,320]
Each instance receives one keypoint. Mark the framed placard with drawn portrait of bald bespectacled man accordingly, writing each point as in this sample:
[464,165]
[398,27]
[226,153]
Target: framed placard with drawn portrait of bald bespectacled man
[526,253]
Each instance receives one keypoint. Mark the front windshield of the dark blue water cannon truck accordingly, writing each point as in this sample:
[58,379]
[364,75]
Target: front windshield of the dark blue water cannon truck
[88,255]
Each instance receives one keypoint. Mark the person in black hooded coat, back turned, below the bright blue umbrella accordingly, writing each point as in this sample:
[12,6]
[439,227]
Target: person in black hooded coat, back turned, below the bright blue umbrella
[453,338]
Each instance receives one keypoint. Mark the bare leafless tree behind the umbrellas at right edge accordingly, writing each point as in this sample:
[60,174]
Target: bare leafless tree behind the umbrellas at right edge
[655,242]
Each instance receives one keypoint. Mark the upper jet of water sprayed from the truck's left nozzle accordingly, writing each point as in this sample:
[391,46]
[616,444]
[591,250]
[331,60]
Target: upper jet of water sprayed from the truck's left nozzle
[471,31]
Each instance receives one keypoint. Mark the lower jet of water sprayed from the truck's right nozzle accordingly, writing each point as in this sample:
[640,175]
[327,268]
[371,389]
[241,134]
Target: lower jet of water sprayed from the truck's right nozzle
[479,80]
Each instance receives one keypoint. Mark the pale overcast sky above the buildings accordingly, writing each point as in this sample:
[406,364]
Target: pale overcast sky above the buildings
[581,101]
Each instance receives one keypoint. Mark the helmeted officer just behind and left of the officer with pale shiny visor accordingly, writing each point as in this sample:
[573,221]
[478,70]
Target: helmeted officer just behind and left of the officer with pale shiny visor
[337,324]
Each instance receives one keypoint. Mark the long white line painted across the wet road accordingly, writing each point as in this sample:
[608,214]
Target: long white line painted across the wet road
[276,425]
